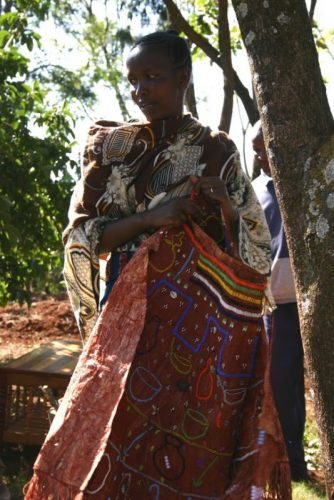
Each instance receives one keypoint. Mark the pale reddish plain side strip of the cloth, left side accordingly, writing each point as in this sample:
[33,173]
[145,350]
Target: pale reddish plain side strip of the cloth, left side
[57,473]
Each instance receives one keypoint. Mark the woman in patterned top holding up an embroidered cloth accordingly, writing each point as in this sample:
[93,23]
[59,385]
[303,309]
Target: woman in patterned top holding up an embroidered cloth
[168,399]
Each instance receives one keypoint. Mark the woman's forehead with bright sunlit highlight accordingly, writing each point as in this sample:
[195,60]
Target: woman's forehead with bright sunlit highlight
[148,56]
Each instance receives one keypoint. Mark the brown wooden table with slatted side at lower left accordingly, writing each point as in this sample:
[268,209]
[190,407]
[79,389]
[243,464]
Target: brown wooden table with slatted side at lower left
[30,388]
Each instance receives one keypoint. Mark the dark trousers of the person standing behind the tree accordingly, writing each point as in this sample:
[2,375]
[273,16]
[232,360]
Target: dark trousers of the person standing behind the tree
[287,374]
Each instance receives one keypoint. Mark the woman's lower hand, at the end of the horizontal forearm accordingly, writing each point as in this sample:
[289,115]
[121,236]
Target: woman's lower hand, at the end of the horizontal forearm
[173,213]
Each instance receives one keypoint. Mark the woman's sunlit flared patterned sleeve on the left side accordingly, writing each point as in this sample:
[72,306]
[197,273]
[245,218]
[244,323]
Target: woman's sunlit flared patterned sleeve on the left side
[83,233]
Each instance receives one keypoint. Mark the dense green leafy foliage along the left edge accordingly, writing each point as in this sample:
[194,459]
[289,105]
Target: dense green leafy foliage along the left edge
[35,185]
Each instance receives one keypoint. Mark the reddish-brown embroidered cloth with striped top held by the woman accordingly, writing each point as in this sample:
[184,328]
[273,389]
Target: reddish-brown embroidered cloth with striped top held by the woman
[171,397]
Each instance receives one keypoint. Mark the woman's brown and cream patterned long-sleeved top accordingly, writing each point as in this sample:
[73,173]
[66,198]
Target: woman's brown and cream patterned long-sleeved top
[158,159]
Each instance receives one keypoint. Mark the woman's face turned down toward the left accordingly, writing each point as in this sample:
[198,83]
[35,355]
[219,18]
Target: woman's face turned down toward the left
[157,88]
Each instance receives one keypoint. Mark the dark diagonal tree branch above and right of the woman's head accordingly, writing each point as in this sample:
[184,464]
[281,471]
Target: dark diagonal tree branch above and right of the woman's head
[182,25]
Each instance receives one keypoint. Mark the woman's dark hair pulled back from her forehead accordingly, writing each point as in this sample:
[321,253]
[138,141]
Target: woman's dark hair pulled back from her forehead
[175,47]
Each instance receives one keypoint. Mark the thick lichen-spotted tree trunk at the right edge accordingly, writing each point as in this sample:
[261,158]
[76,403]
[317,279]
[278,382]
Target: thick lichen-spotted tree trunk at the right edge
[298,130]
